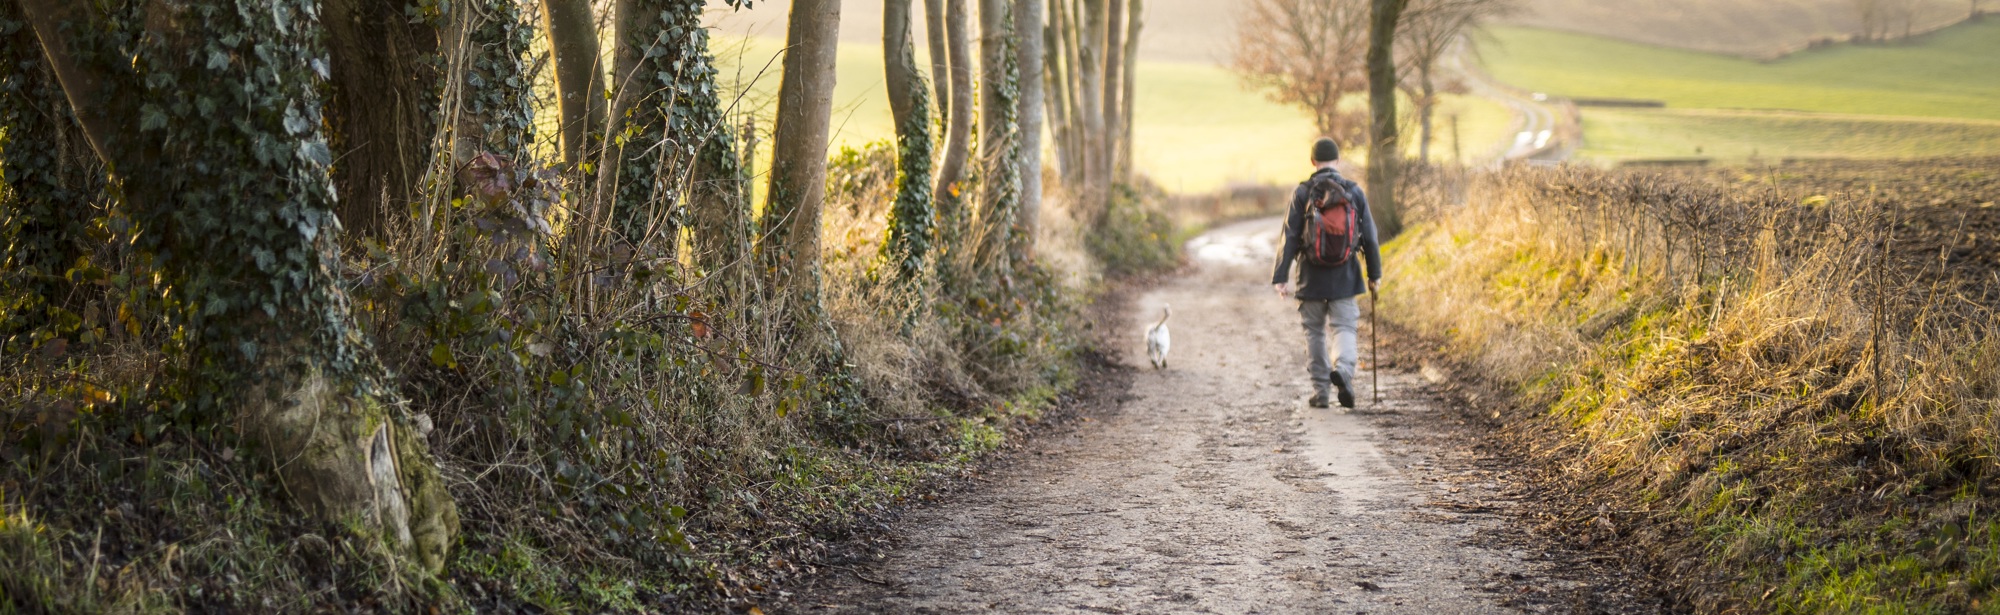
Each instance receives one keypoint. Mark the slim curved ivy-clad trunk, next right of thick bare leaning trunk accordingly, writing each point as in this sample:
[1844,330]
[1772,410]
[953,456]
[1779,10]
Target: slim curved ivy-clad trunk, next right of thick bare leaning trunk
[909,99]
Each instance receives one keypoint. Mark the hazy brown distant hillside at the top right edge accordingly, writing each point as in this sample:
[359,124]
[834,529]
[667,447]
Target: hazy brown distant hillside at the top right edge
[1757,29]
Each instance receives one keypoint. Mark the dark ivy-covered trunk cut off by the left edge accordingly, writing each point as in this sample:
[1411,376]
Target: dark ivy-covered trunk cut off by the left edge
[51,177]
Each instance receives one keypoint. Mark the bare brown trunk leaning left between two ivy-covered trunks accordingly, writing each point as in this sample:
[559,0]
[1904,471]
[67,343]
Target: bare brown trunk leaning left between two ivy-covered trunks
[573,41]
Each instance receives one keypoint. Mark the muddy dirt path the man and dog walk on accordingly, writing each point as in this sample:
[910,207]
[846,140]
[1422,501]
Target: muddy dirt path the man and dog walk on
[1215,490]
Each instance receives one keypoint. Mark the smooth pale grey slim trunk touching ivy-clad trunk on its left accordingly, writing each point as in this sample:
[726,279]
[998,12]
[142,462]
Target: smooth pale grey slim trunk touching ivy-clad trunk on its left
[1029,33]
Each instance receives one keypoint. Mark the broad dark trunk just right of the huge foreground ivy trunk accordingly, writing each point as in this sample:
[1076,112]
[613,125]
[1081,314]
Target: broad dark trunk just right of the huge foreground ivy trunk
[383,109]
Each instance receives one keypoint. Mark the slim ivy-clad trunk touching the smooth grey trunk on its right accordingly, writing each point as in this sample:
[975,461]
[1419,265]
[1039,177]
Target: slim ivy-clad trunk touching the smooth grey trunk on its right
[999,147]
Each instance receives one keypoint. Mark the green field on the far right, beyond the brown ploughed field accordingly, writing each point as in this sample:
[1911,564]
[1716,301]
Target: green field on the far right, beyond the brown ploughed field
[1937,97]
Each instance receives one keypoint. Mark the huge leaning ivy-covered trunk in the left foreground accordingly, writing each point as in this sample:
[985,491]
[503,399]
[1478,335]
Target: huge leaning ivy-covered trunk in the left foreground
[213,127]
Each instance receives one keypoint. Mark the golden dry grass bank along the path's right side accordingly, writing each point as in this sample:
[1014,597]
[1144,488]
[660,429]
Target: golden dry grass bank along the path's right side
[1705,354]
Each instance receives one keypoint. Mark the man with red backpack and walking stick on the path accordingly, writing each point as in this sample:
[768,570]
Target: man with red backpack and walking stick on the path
[1329,233]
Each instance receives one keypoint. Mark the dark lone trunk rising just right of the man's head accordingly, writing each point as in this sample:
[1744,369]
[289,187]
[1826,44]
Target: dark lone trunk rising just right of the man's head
[1385,149]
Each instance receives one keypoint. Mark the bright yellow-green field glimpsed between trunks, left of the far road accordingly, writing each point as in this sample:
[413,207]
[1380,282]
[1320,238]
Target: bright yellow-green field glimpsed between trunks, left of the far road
[1199,129]
